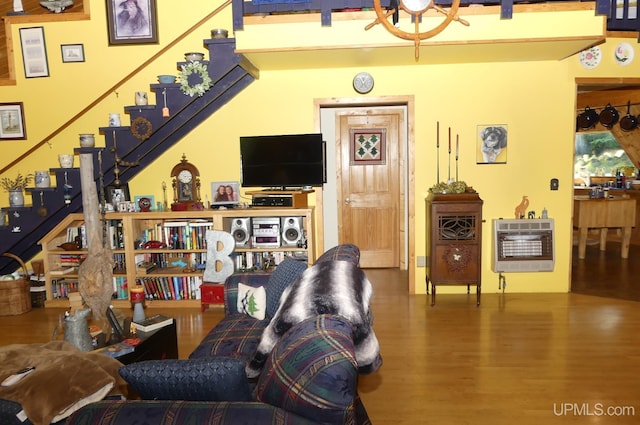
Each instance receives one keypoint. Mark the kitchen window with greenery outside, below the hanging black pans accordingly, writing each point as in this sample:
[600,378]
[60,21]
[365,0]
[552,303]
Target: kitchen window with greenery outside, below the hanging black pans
[598,156]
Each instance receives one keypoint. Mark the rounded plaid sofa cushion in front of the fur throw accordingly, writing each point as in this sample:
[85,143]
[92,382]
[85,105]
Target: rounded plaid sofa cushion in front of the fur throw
[312,371]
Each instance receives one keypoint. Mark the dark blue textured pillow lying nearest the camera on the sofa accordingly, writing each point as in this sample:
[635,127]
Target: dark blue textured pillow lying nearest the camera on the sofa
[212,379]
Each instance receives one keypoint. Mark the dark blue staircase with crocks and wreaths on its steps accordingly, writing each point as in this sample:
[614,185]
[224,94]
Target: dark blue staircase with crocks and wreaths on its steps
[230,73]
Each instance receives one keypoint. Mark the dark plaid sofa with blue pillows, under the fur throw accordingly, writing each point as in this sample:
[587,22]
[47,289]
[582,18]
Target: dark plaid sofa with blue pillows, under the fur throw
[310,377]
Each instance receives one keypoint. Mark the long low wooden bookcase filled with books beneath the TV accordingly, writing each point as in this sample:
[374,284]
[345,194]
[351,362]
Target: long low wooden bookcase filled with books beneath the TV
[165,252]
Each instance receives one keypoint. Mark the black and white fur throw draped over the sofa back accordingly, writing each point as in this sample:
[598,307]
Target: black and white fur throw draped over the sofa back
[331,287]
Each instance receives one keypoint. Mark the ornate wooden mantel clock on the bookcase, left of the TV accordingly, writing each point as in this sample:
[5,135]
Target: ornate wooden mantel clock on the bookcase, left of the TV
[186,187]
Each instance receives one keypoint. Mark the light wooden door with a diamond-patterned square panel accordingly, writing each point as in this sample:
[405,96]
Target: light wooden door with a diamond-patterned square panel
[369,182]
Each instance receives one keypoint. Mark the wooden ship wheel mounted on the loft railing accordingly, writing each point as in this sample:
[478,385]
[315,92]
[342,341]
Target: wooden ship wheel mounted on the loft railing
[416,8]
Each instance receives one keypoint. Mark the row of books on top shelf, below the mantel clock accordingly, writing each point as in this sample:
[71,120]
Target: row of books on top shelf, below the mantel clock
[179,234]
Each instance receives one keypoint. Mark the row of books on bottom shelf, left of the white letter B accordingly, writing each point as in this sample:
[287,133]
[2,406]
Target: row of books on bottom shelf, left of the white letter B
[171,287]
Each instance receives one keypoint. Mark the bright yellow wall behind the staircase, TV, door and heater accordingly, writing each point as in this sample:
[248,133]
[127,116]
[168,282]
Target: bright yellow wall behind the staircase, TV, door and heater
[535,99]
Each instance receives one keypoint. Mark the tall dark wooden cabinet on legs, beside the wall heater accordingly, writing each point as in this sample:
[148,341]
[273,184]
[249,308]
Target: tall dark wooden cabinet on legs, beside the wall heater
[454,241]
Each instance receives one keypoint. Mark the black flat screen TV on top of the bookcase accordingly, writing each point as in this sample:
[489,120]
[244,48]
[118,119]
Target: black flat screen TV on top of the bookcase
[283,161]
